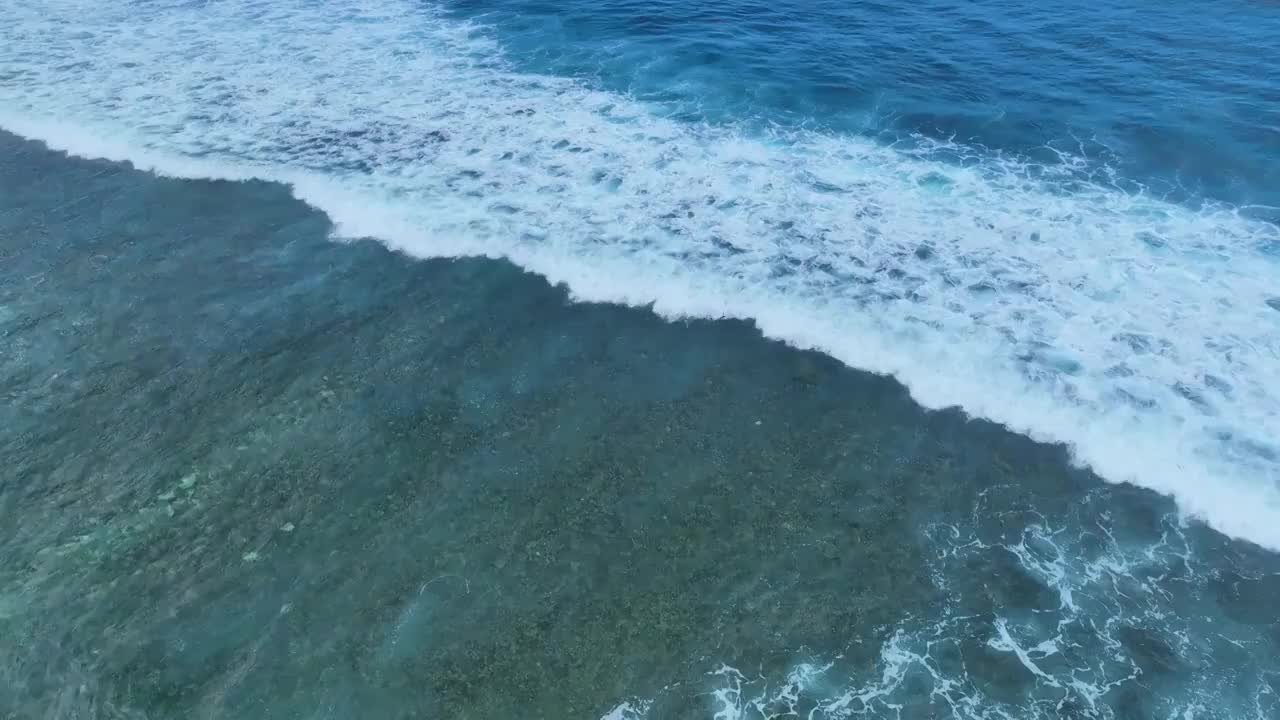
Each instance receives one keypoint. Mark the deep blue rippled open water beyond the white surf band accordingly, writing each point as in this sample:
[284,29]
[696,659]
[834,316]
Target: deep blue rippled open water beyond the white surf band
[1173,97]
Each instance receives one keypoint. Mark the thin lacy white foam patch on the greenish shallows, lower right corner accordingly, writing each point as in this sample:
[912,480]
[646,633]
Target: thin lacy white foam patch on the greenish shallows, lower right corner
[1084,659]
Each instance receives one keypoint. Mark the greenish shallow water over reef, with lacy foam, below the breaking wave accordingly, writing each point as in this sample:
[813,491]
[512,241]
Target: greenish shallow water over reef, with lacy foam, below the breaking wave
[257,473]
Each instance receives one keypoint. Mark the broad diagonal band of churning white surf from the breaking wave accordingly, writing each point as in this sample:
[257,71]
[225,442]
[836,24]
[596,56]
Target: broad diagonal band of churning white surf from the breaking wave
[1136,331]
